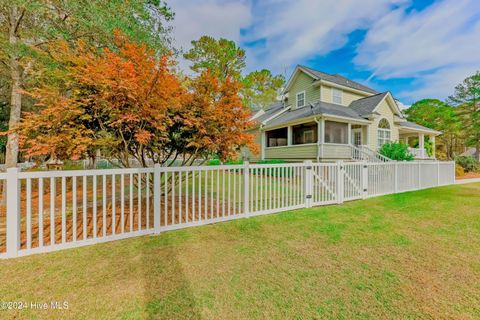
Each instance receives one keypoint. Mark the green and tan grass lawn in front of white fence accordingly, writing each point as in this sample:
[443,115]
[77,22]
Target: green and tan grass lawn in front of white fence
[411,255]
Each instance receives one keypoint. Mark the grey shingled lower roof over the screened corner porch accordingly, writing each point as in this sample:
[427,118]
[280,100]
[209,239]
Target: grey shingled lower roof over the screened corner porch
[319,108]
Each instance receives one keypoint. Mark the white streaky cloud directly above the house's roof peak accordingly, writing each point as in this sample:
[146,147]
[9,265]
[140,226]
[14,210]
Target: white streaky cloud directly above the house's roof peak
[295,30]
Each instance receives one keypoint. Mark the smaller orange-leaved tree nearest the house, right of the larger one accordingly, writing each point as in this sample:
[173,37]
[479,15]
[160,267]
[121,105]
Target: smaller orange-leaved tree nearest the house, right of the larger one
[212,121]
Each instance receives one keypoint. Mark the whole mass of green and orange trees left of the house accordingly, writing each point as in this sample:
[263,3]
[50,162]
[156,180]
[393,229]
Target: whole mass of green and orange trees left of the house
[65,65]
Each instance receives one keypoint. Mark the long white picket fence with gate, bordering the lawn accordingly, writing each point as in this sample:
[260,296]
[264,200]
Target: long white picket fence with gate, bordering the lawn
[52,210]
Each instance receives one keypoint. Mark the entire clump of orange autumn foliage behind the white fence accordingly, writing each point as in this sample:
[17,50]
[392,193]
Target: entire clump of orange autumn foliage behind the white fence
[128,103]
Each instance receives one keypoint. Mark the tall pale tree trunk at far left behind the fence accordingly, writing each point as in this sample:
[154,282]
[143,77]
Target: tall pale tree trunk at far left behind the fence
[11,156]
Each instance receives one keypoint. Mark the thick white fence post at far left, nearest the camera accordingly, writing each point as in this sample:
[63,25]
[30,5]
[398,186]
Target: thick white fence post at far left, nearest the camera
[13,218]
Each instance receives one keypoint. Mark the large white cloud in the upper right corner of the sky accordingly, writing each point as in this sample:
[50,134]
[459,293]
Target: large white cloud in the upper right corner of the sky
[438,46]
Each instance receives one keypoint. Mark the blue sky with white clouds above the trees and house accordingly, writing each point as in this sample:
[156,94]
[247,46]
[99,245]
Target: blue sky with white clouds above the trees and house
[415,49]
